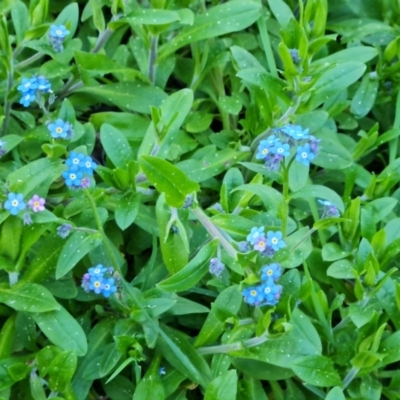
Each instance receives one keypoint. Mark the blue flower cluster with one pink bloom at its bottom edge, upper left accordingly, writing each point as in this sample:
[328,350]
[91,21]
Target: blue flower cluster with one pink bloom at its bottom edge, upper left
[80,167]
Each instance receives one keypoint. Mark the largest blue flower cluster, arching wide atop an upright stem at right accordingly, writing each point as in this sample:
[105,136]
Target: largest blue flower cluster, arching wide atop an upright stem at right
[277,146]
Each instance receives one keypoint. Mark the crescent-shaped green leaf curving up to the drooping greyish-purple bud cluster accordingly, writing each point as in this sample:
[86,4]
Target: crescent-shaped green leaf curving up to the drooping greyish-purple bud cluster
[192,272]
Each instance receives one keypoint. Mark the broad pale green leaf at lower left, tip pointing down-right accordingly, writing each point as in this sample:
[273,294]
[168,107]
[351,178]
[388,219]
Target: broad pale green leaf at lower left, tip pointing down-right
[63,330]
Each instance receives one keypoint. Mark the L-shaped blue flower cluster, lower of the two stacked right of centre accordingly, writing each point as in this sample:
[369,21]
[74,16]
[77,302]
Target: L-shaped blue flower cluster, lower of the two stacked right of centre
[268,292]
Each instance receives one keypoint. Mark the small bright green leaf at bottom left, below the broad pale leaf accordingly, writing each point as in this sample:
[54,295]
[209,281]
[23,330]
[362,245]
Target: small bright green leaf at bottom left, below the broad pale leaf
[61,370]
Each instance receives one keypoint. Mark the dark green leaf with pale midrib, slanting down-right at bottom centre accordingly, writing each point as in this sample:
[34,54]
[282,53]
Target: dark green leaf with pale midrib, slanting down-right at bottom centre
[177,350]
